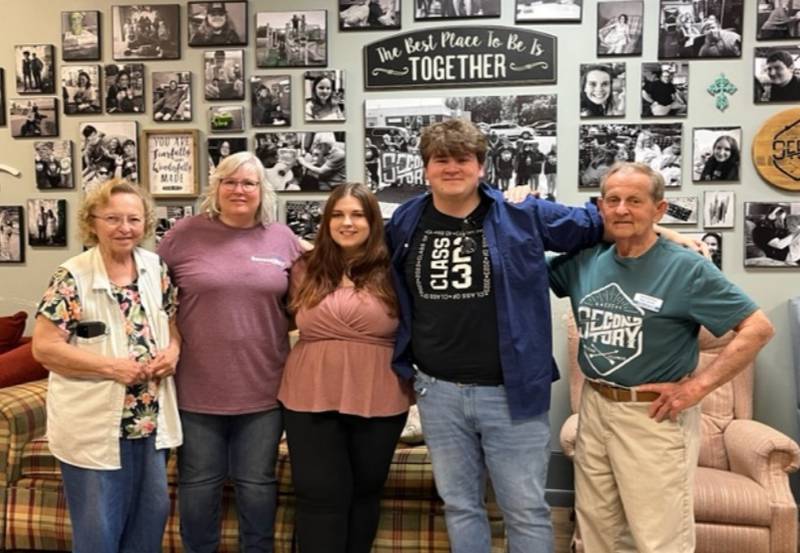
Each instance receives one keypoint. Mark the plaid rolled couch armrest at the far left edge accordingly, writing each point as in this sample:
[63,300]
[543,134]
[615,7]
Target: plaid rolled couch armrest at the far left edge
[22,418]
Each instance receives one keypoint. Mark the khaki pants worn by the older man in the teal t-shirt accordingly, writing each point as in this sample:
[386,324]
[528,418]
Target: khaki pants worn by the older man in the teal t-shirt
[634,477]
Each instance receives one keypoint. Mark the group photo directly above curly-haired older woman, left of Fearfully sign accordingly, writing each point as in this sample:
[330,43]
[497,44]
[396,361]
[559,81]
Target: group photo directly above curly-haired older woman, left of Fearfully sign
[108,149]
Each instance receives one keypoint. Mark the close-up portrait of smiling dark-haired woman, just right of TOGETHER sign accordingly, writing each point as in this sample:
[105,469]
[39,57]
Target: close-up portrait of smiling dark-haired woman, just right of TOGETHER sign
[602,90]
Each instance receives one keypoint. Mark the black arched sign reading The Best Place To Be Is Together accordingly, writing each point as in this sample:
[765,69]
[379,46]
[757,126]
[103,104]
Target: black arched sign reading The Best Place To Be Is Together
[461,56]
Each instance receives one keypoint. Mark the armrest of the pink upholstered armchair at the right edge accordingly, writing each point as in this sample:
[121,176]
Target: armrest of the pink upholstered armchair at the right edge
[761,453]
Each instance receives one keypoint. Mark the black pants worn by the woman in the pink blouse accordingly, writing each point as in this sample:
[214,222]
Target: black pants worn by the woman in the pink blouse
[339,465]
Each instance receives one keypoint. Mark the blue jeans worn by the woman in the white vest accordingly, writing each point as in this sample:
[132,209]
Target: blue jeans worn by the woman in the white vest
[122,510]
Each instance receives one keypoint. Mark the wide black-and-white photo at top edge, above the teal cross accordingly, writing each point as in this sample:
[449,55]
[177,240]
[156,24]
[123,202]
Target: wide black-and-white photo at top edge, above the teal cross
[700,29]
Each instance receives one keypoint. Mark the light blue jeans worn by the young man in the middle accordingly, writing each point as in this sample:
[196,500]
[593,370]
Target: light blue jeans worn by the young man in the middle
[468,430]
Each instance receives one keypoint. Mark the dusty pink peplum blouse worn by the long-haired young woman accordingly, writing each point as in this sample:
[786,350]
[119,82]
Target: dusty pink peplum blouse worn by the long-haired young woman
[342,361]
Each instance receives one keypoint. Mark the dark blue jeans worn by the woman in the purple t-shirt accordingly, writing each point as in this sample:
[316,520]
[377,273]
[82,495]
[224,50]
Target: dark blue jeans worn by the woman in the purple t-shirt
[243,448]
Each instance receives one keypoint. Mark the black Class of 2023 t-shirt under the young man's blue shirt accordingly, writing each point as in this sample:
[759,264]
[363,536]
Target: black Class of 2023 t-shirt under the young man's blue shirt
[454,329]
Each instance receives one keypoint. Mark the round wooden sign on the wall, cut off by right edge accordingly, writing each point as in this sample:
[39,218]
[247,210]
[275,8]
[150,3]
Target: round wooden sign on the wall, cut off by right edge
[776,150]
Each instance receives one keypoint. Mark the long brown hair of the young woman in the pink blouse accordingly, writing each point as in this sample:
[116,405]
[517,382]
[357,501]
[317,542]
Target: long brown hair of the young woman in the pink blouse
[326,263]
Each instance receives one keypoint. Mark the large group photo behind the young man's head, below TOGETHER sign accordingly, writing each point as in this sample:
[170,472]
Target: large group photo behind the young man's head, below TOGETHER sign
[520,131]
